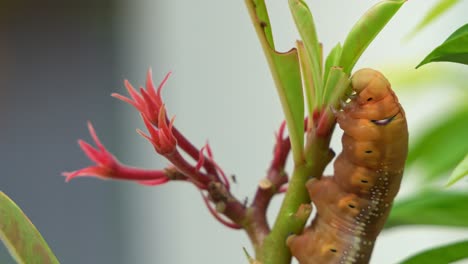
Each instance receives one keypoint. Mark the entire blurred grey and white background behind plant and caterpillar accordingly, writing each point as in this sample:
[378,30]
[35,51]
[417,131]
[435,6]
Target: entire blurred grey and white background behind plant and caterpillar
[60,60]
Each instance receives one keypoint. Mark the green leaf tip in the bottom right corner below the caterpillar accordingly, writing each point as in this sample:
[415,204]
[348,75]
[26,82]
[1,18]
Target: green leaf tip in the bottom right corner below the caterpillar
[443,254]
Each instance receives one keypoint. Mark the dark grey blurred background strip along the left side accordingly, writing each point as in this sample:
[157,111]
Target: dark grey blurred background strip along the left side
[57,68]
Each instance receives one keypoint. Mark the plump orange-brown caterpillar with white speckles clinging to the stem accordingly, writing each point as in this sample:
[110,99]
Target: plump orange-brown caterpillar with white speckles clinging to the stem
[353,205]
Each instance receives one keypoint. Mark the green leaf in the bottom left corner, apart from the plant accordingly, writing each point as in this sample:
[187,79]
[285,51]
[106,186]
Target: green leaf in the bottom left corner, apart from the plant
[20,236]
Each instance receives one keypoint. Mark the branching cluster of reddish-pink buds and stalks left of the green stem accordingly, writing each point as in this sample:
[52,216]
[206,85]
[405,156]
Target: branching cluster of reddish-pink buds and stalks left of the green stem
[168,142]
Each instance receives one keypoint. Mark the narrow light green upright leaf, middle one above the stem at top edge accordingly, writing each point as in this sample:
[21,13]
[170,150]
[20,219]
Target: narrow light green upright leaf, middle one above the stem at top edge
[306,27]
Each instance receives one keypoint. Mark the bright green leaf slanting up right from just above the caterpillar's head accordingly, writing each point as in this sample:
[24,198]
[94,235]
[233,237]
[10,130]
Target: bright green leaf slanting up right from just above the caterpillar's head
[365,30]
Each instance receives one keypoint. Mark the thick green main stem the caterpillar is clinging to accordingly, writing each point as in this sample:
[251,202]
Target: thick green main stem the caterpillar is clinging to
[288,222]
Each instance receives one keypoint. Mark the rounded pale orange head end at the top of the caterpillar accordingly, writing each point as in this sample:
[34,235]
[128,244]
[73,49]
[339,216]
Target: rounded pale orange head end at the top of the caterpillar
[369,85]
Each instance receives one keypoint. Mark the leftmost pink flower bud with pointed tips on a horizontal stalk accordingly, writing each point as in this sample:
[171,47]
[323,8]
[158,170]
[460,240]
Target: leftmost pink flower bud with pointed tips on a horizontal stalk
[108,167]
